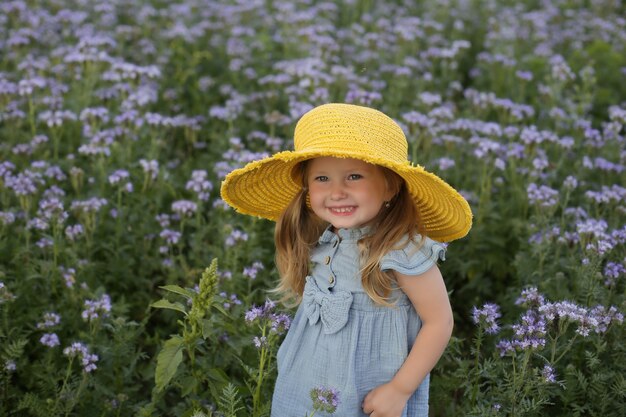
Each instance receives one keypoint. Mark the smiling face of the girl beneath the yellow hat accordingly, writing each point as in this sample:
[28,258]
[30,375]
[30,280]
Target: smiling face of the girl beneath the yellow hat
[347,193]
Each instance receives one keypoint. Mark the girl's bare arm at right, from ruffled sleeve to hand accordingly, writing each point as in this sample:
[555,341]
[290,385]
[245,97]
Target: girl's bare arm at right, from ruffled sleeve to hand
[429,296]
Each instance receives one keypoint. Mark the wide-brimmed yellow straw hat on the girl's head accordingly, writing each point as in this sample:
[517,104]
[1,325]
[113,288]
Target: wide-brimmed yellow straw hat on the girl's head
[265,187]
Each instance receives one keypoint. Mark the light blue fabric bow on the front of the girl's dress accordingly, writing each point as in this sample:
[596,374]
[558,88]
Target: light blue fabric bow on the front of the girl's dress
[331,308]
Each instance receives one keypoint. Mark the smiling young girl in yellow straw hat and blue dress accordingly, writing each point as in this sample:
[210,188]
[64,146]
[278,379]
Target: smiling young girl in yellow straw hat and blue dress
[353,246]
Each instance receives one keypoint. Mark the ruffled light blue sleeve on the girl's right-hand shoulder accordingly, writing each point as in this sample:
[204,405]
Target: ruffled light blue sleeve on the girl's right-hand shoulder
[414,256]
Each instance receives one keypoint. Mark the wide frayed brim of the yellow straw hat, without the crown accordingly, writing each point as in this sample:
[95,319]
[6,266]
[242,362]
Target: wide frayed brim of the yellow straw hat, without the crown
[264,188]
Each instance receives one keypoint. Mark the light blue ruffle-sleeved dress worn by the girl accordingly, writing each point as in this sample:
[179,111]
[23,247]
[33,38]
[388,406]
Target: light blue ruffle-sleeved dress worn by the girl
[341,339]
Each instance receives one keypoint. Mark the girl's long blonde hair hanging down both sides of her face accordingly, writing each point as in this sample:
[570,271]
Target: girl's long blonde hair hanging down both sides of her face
[298,230]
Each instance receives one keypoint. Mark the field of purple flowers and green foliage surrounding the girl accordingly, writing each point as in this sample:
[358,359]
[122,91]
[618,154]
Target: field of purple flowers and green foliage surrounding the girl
[128,287]
